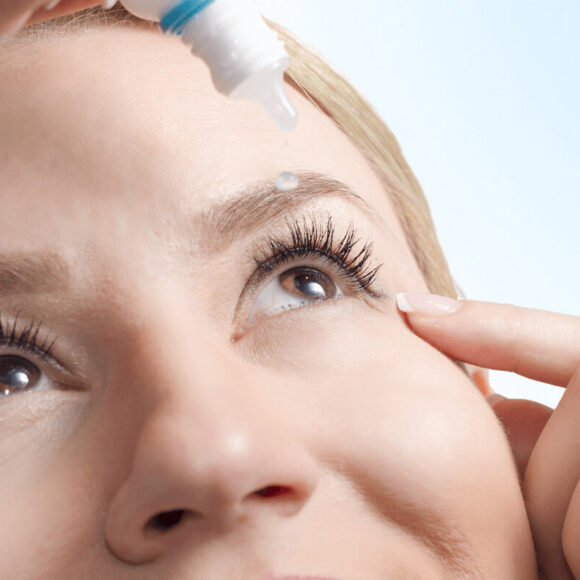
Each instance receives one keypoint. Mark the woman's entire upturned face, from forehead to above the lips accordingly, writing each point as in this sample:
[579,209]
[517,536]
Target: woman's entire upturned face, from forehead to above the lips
[203,375]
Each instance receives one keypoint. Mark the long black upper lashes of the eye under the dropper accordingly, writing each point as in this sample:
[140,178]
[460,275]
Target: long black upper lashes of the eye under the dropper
[310,238]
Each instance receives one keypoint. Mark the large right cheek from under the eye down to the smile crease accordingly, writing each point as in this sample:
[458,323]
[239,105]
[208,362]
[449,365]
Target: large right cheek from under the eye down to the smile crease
[395,417]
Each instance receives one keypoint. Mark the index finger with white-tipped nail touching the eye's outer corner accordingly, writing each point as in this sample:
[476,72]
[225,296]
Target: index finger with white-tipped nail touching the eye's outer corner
[537,344]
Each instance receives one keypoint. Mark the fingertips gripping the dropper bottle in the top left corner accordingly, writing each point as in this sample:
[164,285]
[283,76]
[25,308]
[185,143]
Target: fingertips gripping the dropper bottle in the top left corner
[15,14]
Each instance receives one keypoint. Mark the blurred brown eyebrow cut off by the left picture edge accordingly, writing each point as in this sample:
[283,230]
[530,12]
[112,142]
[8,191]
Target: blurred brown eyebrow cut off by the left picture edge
[28,272]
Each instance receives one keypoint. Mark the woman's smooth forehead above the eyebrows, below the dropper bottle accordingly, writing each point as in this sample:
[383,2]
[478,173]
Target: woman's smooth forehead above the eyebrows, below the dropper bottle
[128,118]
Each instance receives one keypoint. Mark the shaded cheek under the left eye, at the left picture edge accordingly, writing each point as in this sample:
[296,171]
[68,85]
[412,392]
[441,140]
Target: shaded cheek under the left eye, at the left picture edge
[45,502]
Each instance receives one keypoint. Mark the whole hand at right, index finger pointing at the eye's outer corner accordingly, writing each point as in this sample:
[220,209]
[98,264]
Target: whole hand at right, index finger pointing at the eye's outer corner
[543,346]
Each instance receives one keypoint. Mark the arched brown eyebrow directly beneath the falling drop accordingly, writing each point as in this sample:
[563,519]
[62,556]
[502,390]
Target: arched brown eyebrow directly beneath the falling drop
[261,203]
